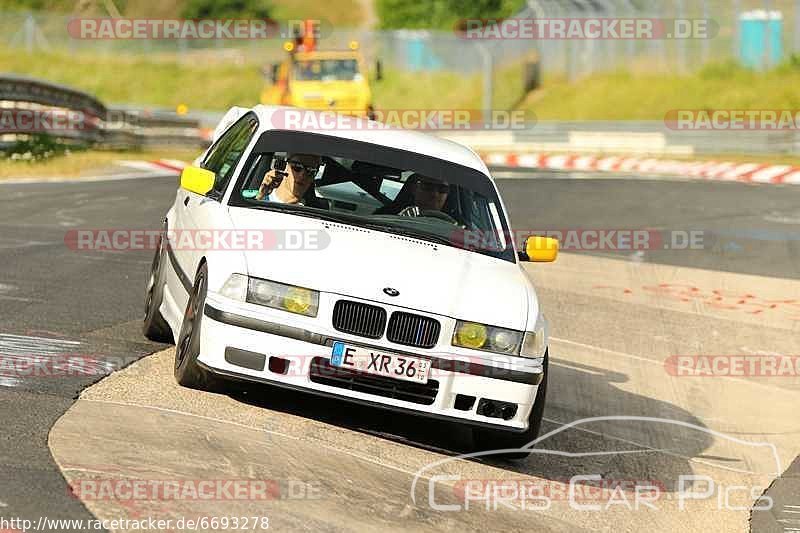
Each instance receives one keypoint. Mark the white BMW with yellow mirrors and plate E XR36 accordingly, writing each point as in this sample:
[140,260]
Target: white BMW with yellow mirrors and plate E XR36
[367,264]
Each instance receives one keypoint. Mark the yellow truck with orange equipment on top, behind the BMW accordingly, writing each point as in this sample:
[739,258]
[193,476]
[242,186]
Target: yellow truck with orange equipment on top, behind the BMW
[335,80]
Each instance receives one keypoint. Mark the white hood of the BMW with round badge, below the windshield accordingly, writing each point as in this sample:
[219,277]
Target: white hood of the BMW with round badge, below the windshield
[361,262]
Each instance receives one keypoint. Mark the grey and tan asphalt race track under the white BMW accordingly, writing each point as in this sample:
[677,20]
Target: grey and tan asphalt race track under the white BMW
[616,317]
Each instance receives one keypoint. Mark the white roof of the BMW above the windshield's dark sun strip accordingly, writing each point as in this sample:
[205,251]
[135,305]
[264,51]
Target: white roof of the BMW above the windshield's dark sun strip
[411,141]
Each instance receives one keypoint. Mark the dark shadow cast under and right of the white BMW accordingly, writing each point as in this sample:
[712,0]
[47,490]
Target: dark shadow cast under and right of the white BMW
[616,449]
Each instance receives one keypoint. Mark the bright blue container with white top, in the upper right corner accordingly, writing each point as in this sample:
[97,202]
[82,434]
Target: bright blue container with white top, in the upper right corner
[754,50]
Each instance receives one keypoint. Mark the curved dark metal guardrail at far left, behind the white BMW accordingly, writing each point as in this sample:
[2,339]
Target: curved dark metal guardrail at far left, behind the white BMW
[89,120]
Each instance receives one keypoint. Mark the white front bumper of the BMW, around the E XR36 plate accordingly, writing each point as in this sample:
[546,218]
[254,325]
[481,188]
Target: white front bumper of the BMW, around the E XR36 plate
[237,344]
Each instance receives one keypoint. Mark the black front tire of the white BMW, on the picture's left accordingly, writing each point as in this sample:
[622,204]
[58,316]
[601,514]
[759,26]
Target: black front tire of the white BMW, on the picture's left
[187,372]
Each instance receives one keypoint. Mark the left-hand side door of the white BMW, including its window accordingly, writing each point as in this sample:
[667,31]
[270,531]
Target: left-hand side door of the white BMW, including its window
[196,213]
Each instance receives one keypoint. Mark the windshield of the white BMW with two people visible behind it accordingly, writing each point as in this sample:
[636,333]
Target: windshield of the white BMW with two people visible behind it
[376,187]
